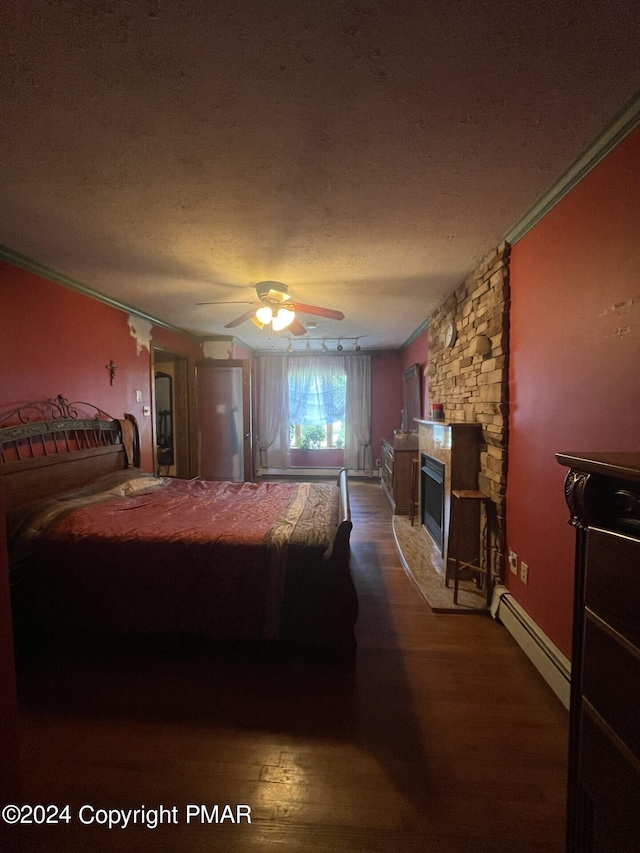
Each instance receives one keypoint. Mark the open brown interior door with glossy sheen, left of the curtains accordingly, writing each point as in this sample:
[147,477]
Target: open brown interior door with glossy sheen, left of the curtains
[223,389]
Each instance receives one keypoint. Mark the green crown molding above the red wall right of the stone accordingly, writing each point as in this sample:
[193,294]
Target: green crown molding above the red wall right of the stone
[622,125]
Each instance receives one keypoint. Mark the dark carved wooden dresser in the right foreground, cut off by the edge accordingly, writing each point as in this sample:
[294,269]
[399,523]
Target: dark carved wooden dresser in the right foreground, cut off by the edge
[603,494]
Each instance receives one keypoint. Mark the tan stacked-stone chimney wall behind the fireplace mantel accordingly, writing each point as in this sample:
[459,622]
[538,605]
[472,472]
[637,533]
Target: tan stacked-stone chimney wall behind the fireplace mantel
[476,387]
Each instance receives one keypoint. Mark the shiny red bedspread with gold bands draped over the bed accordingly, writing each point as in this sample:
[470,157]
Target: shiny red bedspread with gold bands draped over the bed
[215,559]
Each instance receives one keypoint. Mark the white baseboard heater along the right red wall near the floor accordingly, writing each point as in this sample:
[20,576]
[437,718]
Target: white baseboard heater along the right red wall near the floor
[554,667]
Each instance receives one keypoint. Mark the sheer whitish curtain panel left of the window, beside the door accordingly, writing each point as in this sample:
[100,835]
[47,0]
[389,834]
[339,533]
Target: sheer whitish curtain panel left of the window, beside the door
[273,413]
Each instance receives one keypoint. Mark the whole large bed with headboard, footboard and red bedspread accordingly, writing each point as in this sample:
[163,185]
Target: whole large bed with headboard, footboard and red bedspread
[114,550]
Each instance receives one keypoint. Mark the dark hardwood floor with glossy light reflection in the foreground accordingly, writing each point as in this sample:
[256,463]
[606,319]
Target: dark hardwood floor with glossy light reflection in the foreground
[443,739]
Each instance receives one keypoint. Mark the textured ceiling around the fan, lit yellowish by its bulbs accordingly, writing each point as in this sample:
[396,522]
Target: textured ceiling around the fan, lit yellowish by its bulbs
[368,153]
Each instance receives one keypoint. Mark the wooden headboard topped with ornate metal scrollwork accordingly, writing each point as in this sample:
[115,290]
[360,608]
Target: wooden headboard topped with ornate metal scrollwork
[53,445]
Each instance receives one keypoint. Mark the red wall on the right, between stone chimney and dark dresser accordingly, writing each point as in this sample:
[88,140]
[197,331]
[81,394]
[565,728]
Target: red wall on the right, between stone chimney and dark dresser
[574,368]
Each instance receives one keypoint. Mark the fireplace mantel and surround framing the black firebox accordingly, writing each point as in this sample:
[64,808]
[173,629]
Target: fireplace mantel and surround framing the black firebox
[457,445]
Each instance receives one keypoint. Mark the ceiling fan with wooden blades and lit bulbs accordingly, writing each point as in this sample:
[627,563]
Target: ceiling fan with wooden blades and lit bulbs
[275,309]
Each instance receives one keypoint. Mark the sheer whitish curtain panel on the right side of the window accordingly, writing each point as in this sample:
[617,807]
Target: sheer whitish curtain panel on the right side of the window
[358,454]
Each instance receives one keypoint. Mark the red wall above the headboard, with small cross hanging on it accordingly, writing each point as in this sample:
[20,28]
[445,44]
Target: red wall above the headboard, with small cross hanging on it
[54,340]
